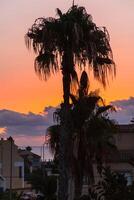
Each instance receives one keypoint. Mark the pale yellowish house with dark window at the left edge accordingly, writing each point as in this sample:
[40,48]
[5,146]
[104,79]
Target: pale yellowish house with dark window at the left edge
[11,166]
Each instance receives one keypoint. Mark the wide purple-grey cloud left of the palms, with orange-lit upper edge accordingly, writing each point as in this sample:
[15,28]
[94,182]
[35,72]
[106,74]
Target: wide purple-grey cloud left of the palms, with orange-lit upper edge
[20,124]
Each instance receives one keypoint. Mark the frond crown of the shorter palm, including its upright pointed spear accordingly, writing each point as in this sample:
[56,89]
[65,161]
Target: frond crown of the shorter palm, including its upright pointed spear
[90,124]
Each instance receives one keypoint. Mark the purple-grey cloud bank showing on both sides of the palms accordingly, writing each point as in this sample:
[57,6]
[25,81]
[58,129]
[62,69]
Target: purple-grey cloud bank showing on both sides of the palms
[31,124]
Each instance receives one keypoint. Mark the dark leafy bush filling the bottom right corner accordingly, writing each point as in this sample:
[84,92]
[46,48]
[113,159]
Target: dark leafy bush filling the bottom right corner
[112,186]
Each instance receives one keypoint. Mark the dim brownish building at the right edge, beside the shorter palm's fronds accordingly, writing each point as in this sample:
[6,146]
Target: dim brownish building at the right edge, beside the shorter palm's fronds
[121,162]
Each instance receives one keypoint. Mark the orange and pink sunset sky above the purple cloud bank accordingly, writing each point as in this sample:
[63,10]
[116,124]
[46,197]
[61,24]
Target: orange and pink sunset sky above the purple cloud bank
[21,91]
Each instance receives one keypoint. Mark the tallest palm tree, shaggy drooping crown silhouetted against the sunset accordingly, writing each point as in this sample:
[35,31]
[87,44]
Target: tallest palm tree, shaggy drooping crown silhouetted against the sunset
[70,40]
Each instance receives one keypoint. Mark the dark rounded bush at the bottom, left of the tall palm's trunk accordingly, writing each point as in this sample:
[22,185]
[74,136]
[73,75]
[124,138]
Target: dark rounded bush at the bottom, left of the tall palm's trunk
[43,183]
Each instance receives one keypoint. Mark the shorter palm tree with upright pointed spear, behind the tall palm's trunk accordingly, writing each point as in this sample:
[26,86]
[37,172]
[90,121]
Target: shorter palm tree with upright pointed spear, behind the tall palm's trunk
[90,134]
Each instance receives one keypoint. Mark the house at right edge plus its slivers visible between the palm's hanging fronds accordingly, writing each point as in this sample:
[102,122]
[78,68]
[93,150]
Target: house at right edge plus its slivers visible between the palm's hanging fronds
[121,161]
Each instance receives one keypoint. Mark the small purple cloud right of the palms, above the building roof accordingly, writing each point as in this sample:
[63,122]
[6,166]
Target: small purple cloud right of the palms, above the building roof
[125,110]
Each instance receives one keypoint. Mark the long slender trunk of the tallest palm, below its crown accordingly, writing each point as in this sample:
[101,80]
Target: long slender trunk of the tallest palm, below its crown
[65,130]
